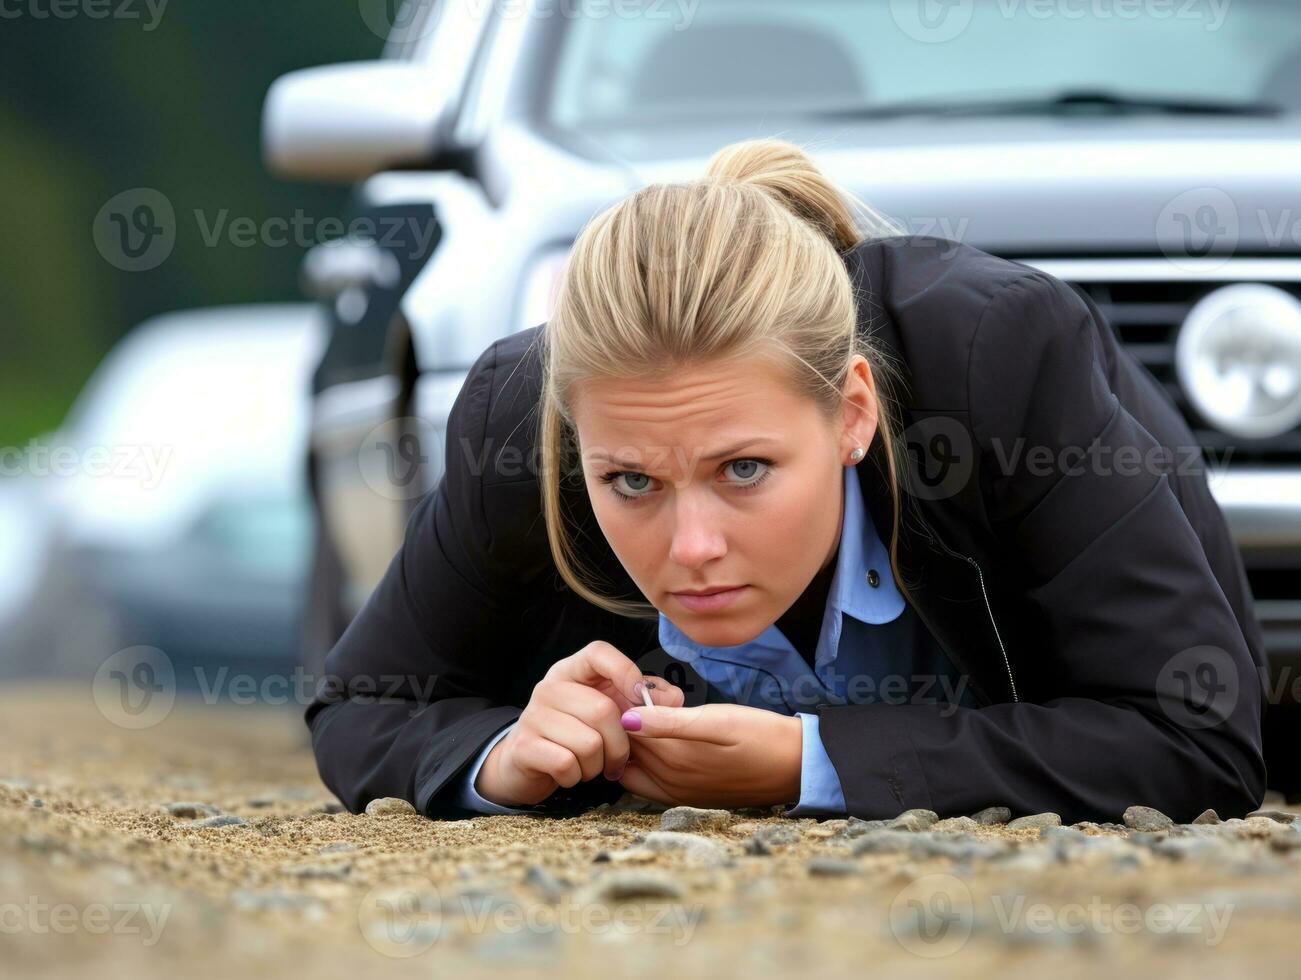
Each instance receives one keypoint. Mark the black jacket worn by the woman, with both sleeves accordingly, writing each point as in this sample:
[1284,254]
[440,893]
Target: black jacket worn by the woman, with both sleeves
[1096,605]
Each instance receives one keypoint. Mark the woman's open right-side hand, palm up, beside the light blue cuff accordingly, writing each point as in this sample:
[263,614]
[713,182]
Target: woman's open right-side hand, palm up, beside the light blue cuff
[715,755]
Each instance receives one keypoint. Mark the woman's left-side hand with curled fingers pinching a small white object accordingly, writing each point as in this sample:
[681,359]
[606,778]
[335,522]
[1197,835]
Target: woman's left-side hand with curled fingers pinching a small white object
[570,729]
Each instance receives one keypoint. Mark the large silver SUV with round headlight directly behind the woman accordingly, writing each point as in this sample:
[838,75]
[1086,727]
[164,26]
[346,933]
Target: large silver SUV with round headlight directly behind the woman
[1148,156]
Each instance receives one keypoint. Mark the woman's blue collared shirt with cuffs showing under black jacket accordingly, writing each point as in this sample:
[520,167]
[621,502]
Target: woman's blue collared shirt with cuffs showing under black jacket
[872,647]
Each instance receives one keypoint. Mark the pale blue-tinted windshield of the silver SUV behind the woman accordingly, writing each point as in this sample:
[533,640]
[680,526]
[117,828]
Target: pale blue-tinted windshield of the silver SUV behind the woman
[682,59]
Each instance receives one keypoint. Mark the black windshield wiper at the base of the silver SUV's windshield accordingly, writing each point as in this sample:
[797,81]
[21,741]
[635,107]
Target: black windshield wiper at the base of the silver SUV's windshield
[1069,103]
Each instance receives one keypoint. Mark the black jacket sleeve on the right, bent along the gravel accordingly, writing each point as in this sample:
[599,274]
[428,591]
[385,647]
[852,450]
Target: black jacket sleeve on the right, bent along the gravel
[1143,689]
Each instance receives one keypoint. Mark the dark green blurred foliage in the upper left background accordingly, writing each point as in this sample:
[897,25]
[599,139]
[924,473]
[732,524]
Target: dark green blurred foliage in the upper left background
[96,107]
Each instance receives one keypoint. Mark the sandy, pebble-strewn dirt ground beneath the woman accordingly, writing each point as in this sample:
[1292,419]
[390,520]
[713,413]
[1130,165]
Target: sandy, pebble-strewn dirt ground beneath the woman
[107,870]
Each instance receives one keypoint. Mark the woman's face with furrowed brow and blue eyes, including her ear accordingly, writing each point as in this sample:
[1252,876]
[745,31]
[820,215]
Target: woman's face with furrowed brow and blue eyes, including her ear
[732,480]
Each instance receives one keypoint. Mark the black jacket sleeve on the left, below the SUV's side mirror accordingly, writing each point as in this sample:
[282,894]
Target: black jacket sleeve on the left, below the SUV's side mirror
[433,667]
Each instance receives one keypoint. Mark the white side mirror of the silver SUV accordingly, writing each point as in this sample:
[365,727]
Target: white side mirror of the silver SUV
[344,123]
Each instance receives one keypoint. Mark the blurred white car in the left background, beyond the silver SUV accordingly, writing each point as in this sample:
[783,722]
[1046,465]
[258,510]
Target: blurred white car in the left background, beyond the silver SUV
[174,502]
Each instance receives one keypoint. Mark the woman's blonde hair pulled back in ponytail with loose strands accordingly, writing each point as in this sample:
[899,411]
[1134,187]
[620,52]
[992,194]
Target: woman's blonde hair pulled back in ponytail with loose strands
[746,261]
